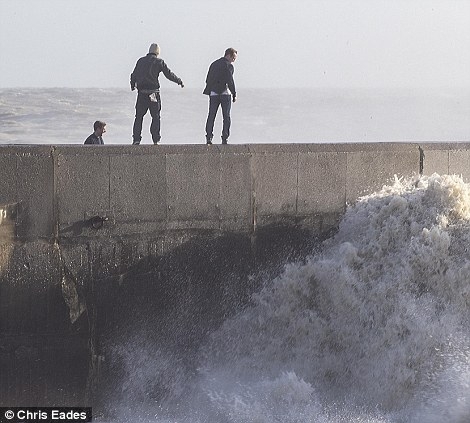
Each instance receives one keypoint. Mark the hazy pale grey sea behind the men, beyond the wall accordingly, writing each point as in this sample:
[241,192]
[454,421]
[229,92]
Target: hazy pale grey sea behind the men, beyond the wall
[66,116]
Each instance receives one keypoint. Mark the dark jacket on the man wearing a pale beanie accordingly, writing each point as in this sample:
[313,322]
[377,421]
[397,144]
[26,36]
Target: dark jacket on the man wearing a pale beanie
[146,72]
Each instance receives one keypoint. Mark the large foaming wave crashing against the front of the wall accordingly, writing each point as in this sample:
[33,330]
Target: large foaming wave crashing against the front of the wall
[374,328]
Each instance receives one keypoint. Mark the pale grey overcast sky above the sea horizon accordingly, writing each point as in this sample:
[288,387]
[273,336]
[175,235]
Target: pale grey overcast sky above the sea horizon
[280,43]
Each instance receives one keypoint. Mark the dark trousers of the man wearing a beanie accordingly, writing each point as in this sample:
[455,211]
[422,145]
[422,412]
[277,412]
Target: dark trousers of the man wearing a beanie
[143,104]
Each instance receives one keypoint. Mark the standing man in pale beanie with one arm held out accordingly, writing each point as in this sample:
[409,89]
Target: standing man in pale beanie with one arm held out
[145,78]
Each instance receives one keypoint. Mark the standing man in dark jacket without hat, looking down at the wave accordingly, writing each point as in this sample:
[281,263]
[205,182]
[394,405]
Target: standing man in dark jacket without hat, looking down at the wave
[219,86]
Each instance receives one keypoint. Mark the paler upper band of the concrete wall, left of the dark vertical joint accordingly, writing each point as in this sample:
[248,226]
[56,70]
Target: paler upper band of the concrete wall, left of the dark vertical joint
[147,189]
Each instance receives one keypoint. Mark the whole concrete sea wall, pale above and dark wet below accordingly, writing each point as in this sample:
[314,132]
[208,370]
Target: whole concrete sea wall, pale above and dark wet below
[96,240]
